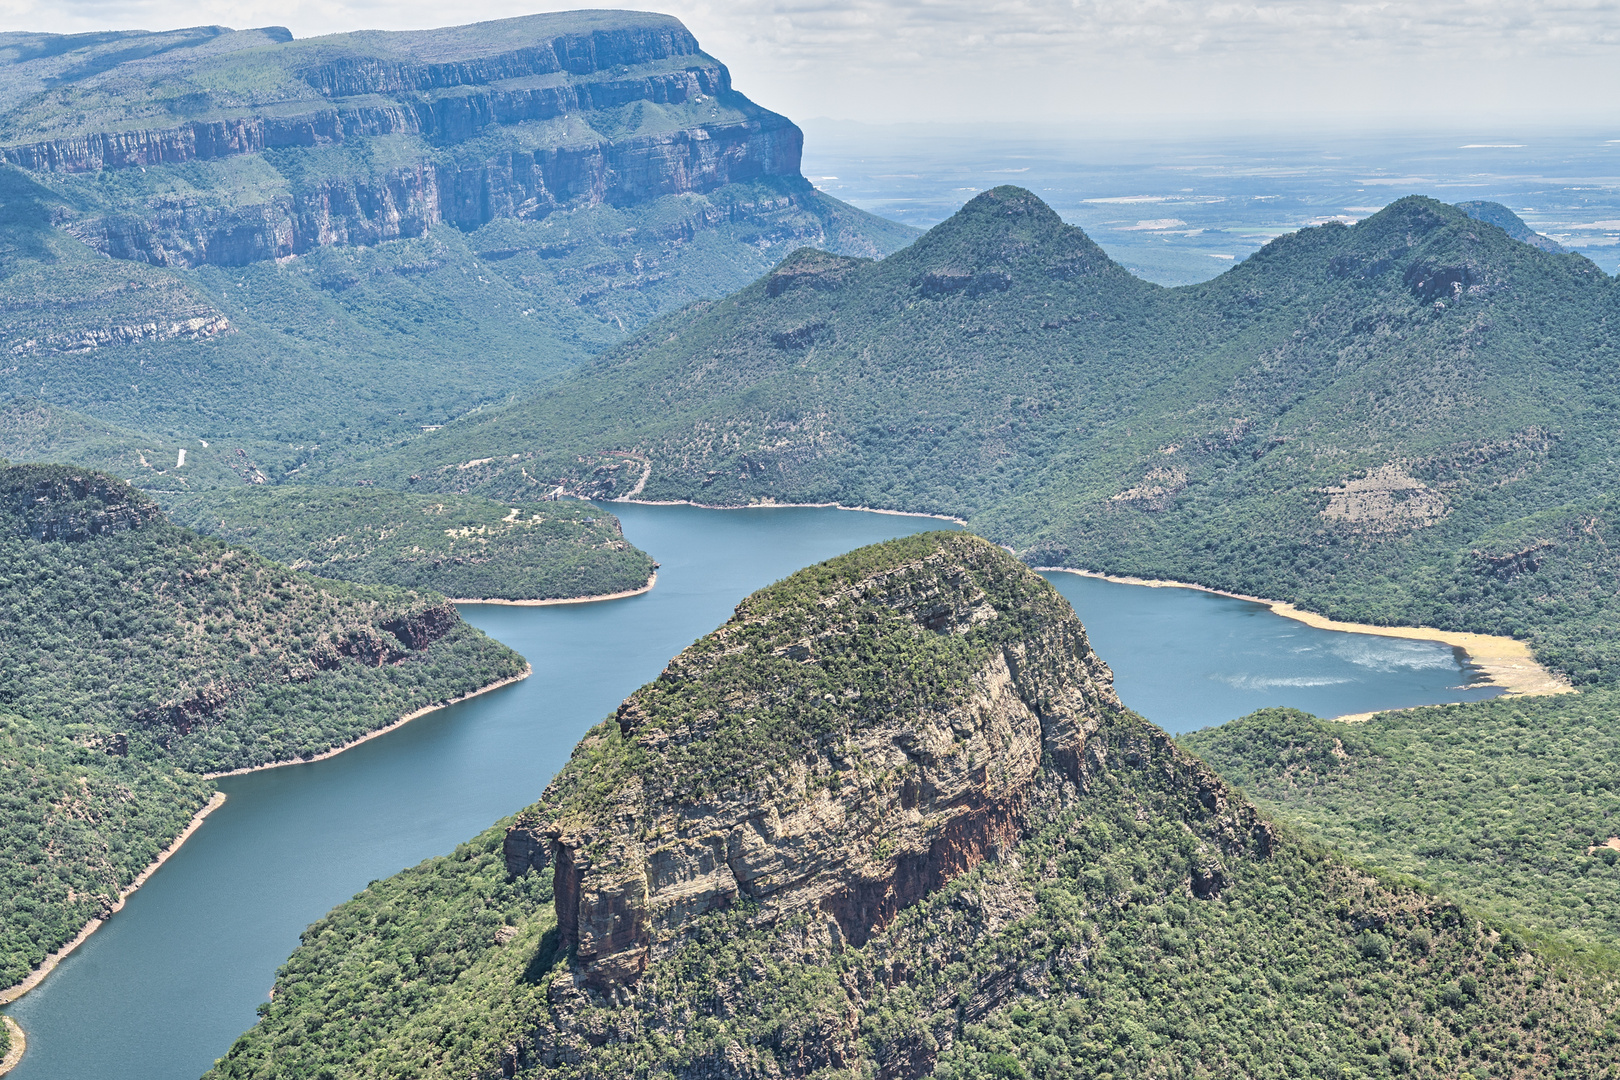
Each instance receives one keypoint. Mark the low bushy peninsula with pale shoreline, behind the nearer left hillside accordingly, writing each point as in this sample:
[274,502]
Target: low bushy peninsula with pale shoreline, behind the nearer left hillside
[463,546]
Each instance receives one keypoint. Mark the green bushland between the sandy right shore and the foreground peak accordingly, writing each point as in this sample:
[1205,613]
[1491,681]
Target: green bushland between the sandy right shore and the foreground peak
[1506,806]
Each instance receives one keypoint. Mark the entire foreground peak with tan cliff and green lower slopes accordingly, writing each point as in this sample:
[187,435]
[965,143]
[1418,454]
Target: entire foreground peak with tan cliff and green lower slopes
[892,820]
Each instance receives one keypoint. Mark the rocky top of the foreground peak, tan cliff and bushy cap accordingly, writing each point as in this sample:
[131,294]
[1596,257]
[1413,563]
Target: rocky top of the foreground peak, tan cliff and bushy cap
[893,793]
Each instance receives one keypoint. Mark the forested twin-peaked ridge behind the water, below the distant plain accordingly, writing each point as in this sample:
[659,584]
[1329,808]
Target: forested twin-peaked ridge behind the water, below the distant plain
[1410,420]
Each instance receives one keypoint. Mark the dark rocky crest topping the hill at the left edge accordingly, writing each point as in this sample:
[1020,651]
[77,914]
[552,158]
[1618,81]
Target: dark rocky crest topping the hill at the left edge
[54,503]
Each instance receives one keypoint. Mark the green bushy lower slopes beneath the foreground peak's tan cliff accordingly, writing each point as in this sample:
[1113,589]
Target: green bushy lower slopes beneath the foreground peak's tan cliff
[1302,969]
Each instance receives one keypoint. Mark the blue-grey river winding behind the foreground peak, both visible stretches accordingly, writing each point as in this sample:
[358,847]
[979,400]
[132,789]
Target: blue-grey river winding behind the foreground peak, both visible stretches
[168,984]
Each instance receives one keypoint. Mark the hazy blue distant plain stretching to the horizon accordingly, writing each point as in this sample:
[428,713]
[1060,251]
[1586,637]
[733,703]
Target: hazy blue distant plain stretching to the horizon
[1180,210]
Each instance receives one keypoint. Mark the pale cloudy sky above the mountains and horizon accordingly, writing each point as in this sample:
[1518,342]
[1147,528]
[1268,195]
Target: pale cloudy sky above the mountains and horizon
[1193,66]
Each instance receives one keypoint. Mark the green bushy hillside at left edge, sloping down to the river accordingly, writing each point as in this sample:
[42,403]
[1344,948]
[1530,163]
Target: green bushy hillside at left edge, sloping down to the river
[140,657]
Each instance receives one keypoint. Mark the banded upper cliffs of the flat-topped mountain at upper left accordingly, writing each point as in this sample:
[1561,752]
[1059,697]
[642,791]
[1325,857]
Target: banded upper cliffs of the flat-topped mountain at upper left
[490,124]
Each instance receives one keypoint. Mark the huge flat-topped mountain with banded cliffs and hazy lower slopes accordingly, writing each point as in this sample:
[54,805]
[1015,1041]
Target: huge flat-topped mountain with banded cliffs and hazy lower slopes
[416,223]
